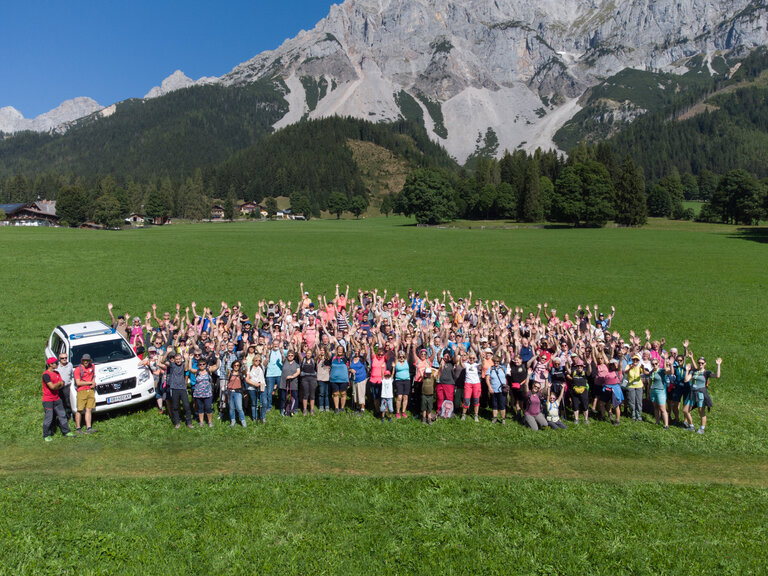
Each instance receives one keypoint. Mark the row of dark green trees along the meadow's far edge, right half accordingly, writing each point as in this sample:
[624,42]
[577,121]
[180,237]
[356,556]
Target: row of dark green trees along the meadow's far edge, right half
[588,189]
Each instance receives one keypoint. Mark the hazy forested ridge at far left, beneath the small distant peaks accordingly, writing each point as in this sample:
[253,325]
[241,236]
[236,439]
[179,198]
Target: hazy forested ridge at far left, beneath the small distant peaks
[173,135]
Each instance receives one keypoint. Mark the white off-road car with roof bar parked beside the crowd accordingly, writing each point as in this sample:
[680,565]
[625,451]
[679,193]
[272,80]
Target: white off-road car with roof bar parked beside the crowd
[121,379]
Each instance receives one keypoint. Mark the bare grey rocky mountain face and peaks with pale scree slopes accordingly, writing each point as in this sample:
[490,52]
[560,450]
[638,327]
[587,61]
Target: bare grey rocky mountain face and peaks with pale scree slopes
[481,74]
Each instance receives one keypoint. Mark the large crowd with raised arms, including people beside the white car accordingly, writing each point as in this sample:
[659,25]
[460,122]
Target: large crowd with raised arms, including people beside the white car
[395,357]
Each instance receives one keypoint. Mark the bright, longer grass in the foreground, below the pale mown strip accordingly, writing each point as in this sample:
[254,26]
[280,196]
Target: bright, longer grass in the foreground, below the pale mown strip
[330,525]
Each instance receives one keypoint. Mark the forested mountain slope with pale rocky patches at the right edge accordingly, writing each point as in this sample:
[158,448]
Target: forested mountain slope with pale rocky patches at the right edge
[687,123]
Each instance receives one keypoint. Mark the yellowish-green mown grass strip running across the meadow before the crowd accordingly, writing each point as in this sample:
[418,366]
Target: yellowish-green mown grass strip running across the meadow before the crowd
[311,459]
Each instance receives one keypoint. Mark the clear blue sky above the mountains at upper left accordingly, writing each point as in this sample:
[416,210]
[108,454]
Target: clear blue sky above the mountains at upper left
[51,50]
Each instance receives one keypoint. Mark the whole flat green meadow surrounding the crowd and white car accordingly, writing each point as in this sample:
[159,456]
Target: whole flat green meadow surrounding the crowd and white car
[336,494]
